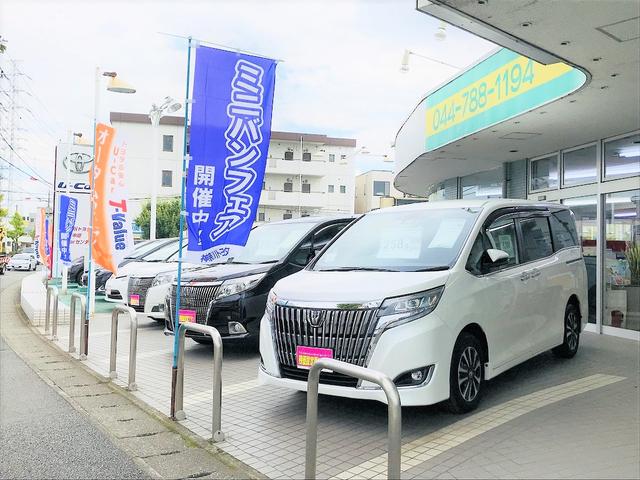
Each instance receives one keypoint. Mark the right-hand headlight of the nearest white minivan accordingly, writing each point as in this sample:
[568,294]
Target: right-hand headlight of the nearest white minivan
[400,310]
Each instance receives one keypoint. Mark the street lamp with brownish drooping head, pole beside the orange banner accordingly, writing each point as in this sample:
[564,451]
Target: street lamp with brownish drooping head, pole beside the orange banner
[117,86]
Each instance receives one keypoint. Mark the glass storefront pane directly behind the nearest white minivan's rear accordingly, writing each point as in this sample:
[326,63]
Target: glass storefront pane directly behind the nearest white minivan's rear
[585,212]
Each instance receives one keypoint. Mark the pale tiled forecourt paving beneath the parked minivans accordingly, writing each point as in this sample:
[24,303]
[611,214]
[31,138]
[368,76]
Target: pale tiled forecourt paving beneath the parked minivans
[547,417]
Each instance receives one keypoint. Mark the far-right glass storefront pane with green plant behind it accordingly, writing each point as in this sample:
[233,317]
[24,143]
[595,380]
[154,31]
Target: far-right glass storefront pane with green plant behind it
[622,260]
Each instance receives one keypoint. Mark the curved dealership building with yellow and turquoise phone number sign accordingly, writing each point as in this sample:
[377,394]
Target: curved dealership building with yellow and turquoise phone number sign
[553,114]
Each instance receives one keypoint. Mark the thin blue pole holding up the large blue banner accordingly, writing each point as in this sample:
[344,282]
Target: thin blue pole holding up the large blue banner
[176,319]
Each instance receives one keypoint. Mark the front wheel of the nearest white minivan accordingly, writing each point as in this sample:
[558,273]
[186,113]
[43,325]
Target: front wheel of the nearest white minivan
[466,375]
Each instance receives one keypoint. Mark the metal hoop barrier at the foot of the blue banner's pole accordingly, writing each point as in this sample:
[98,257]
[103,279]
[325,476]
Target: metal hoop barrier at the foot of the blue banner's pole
[216,420]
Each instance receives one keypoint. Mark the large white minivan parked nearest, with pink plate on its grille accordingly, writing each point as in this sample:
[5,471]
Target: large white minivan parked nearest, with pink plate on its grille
[438,296]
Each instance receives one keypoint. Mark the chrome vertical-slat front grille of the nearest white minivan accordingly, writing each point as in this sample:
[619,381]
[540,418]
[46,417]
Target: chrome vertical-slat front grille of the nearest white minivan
[347,332]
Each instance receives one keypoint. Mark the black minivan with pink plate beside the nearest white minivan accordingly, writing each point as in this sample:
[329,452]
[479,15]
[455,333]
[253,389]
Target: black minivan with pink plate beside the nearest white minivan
[232,296]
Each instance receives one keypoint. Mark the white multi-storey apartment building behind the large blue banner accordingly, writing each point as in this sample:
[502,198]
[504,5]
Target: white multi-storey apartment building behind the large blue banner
[306,174]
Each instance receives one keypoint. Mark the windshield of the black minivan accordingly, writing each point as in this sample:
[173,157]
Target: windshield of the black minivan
[269,243]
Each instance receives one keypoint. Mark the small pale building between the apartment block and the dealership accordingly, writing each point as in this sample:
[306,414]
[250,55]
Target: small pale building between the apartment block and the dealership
[374,189]
